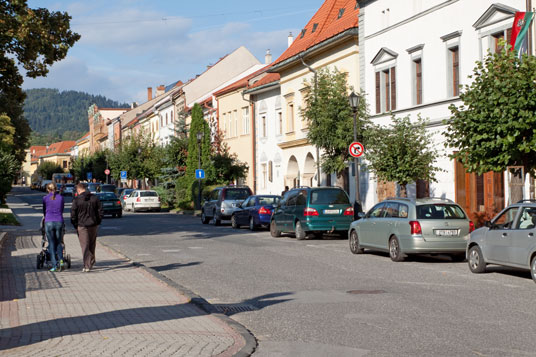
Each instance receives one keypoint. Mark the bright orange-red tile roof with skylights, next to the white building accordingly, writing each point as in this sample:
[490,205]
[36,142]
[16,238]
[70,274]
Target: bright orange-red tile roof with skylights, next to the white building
[328,24]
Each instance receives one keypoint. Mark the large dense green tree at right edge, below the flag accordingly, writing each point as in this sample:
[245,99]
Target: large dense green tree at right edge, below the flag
[494,127]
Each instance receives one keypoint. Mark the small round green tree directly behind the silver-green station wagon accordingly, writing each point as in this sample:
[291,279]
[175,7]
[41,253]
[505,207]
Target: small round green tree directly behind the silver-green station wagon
[401,152]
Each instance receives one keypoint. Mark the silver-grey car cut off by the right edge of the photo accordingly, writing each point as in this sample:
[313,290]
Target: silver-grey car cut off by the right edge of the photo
[509,240]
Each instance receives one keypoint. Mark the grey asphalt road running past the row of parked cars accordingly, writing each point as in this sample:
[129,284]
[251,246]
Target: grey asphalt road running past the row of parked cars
[294,295]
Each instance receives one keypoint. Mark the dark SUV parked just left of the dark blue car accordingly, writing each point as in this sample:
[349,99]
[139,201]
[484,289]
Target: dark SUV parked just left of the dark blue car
[222,202]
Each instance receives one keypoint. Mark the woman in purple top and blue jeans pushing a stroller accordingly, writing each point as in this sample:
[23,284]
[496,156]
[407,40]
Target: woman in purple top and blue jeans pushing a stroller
[53,211]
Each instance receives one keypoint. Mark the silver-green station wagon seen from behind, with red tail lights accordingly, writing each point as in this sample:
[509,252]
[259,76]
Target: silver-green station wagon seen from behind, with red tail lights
[403,226]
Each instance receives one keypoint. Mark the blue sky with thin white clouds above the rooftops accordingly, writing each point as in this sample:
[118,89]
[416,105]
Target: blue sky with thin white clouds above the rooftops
[129,45]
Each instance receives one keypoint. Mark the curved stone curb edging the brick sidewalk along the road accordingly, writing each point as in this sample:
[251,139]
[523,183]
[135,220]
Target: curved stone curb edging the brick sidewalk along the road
[251,341]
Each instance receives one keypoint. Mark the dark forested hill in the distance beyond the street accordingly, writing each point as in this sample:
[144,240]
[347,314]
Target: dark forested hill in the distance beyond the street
[55,115]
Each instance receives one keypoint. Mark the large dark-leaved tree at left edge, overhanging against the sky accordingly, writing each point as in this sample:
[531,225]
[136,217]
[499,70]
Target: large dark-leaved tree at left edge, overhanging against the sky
[33,39]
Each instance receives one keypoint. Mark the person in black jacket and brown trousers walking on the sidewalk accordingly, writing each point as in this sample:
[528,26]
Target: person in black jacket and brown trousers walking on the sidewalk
[86,216]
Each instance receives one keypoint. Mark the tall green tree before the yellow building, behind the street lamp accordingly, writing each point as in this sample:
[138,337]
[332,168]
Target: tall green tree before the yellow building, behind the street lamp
[330,119]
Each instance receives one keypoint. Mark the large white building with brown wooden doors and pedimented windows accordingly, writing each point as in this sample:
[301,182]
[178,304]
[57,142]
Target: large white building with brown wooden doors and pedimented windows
[413,57]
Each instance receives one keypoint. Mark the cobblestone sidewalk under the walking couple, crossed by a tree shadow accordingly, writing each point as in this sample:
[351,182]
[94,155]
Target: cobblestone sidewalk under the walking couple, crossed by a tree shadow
[117,309]
